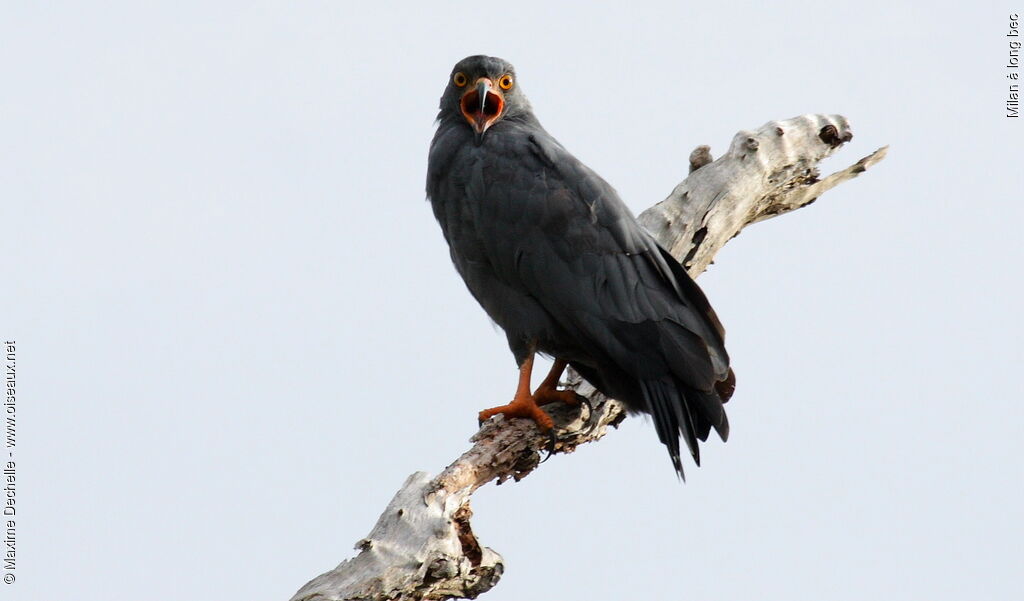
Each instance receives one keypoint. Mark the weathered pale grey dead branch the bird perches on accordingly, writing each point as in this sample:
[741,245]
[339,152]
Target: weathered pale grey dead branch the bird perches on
[423,546]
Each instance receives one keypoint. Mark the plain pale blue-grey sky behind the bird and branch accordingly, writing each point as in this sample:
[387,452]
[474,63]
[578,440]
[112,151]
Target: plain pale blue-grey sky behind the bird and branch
[239,330]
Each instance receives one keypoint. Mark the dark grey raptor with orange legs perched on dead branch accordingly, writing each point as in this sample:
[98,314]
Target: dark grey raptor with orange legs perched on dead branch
[558,261]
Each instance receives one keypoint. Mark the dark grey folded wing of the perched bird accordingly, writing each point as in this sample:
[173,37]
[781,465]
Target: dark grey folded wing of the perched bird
[562,233]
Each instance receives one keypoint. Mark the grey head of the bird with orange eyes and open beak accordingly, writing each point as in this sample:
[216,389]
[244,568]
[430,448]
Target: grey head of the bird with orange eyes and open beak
[482,92]
